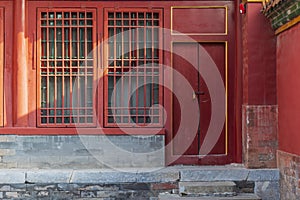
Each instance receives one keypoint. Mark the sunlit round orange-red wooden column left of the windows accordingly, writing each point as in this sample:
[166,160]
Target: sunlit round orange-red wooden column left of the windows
[20,66]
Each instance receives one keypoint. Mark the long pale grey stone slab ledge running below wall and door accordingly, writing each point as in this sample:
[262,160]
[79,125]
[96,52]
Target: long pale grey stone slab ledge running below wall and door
[10,176]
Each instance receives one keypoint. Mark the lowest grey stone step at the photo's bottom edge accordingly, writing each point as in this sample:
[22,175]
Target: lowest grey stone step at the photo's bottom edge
[242,196]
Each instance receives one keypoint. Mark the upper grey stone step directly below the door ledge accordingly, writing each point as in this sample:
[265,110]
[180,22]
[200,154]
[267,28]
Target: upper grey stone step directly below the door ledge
[212,188]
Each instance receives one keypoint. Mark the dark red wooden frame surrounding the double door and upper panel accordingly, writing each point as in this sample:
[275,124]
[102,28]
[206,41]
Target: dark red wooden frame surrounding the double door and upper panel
[234,96]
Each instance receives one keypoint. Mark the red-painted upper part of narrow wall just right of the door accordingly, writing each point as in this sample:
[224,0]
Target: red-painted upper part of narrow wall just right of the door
[259,58]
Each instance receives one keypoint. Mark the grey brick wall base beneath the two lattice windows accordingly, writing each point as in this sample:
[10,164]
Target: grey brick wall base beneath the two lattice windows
[81,151]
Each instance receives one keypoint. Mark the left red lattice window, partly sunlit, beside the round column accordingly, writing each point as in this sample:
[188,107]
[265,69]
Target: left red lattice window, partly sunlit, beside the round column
[66,66]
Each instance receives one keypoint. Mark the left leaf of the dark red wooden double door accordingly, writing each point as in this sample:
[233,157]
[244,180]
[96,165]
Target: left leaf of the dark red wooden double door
[185,139]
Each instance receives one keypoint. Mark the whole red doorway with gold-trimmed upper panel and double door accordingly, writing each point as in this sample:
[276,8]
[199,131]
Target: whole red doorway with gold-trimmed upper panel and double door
[203,77]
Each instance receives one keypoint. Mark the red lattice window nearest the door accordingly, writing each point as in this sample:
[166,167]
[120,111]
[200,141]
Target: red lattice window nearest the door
[133,74]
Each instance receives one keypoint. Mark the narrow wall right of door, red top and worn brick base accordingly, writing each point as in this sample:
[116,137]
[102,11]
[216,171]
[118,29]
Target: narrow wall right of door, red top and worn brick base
[259,110]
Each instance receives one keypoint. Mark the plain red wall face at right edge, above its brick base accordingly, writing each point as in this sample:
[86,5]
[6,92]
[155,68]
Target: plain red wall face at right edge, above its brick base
[288,69]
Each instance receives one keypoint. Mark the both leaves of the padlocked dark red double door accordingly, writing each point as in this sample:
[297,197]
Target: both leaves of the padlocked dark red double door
[193,115]
